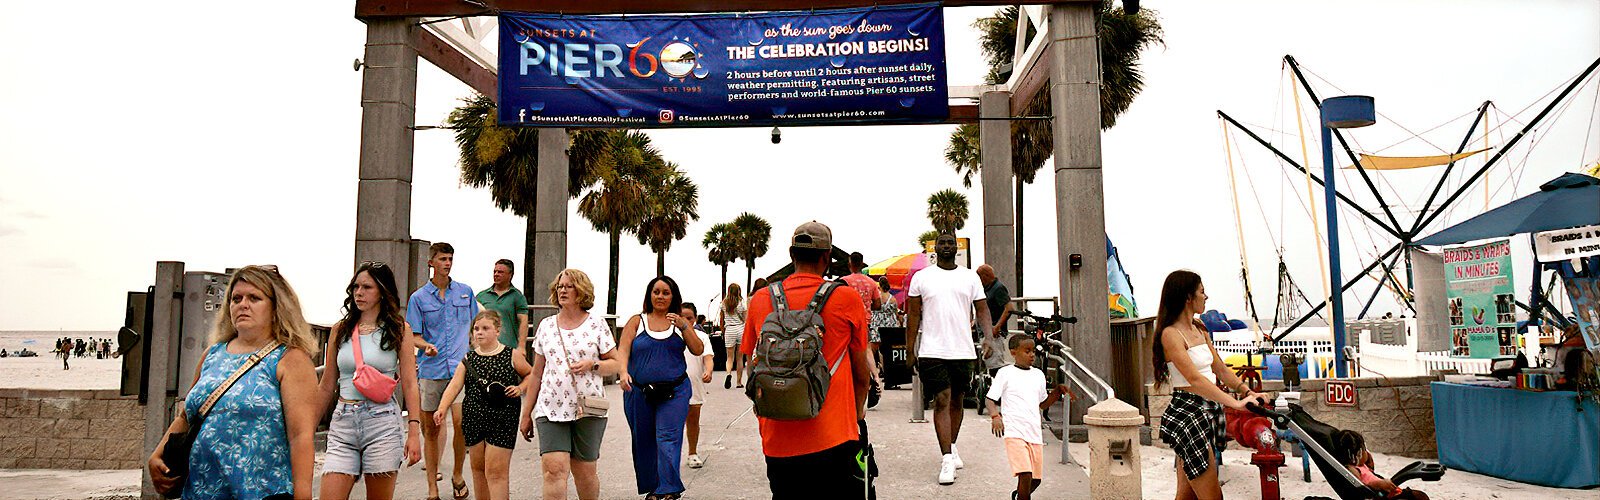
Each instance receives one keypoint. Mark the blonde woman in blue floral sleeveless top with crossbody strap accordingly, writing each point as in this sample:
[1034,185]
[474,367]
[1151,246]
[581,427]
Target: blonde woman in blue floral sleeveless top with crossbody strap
[257,442]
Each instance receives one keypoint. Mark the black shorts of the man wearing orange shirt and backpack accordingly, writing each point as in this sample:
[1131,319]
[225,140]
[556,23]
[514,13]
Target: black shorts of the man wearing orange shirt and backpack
[831,474]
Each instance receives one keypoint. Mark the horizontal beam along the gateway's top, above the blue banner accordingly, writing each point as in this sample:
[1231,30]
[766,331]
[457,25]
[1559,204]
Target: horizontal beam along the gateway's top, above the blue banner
[446,9]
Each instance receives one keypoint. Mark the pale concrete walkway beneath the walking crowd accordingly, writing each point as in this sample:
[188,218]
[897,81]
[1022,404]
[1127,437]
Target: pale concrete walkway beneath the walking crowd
[908,458]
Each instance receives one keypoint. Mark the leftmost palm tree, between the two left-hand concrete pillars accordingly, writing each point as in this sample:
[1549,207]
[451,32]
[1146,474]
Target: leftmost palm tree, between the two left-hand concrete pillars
[503,159]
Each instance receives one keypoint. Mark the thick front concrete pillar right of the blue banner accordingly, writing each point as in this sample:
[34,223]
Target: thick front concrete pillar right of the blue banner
[1081,201]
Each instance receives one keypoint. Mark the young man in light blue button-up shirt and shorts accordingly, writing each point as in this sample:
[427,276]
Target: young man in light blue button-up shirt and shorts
[441,313]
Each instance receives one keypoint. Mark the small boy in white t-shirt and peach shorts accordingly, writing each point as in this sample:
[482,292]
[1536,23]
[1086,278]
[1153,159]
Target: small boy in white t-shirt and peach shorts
[1015,403]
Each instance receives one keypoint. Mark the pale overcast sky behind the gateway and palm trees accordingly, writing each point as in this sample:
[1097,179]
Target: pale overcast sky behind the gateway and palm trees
[225,135]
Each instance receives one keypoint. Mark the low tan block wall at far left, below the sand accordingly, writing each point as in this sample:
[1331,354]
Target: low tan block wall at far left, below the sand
[71,430]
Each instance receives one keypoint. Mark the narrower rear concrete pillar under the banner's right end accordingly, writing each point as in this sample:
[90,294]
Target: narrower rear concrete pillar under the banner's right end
[994,137]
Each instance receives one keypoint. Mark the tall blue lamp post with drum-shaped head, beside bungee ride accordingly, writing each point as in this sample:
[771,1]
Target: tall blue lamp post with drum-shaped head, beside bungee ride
[1338,113]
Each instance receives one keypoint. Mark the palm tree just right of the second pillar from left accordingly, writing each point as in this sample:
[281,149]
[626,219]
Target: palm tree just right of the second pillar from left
[617,203]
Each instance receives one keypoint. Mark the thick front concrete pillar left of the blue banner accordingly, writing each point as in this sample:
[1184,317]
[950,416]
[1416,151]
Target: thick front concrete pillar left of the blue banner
[383,204]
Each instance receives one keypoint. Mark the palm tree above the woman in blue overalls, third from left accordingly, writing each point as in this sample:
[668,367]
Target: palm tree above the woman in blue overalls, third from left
[673,203]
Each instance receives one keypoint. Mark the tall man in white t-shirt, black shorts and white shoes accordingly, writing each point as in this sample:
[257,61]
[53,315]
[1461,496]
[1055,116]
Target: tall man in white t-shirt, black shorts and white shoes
[940,310]
